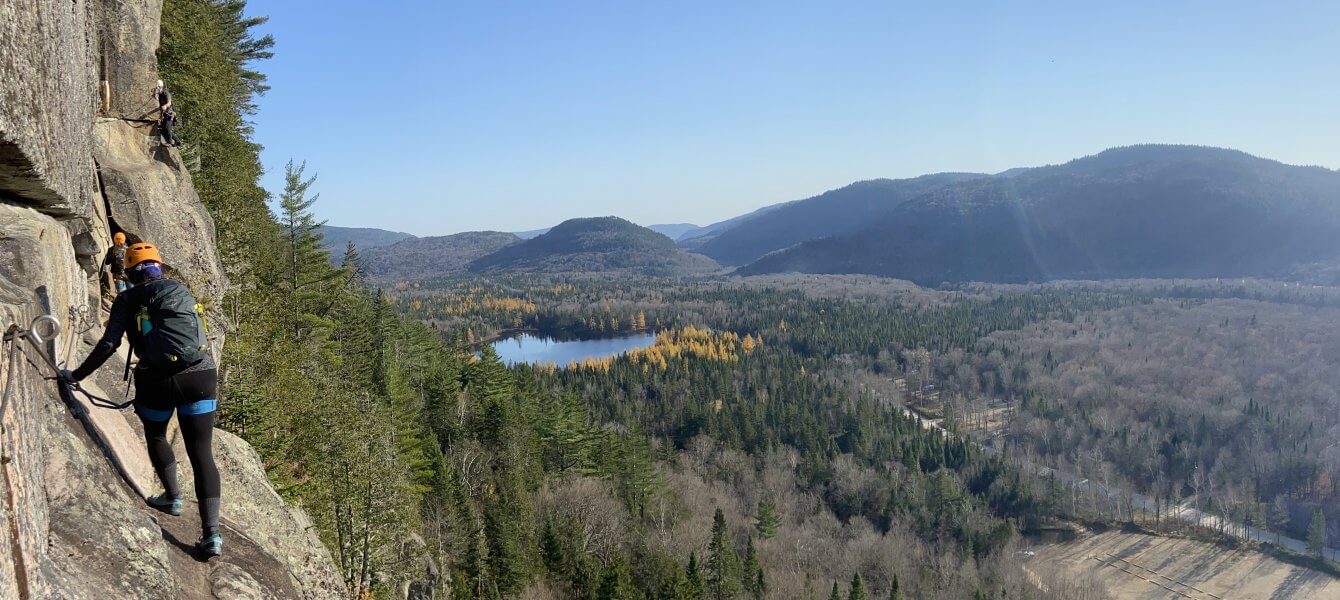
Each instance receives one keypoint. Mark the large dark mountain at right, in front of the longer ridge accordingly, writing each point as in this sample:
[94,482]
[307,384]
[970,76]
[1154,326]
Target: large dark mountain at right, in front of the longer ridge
[1130,212]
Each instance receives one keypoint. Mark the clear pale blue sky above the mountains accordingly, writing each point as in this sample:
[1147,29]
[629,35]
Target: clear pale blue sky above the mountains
[439,117]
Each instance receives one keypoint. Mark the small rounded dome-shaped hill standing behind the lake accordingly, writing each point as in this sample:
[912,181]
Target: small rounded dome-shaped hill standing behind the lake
[596,246]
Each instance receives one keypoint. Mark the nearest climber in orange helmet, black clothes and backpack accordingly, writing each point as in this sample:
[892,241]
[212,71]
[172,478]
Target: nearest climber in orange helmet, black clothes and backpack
[176,374]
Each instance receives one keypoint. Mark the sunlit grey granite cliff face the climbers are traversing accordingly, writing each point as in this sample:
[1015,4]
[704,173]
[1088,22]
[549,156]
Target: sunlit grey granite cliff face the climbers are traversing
[77,161]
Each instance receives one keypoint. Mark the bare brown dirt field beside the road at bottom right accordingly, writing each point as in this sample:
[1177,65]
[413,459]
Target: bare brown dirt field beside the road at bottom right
[1137,566]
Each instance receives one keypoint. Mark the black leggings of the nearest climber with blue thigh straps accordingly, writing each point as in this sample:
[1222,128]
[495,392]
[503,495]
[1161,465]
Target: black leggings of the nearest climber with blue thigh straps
[188,394]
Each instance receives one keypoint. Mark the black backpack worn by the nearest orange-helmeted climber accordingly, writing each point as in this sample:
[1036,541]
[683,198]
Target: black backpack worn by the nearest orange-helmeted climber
[170,330]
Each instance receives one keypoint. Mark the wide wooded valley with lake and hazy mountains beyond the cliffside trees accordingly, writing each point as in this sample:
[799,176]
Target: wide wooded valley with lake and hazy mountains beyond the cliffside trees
[1117,346]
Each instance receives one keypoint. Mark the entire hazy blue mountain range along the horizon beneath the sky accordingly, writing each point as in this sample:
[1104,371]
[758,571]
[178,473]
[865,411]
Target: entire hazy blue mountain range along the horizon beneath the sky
[1132,212]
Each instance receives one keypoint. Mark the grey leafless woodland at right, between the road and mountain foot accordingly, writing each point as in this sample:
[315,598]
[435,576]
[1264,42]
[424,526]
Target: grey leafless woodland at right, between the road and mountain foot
[1223,404]
